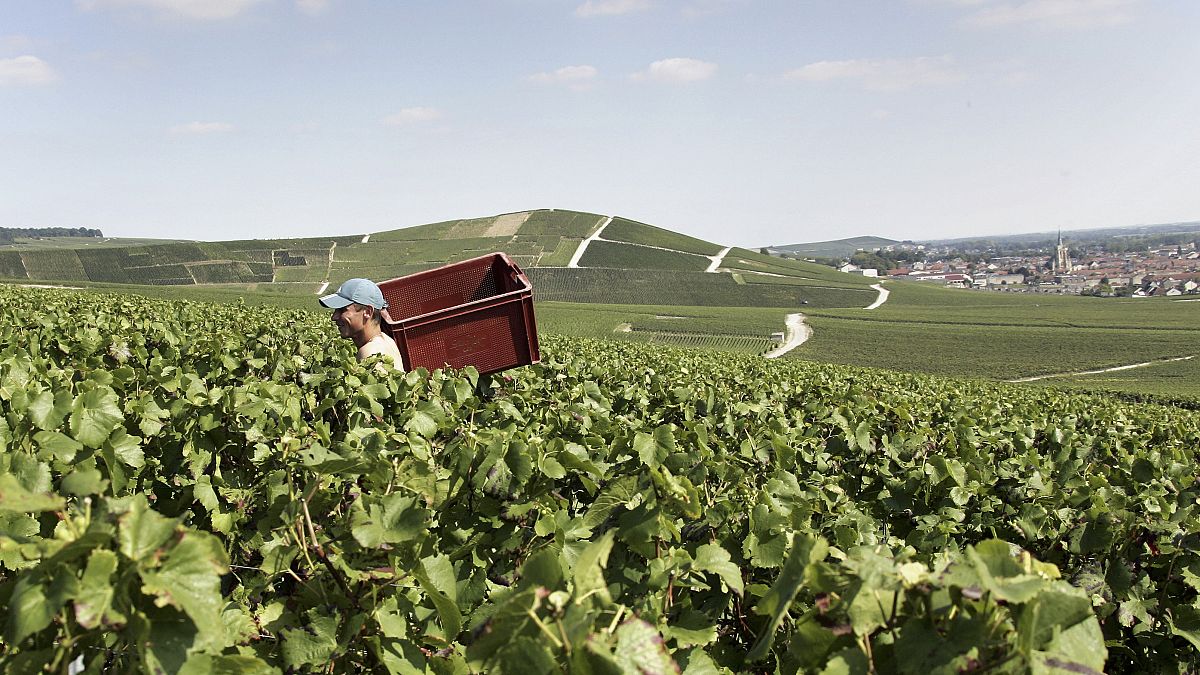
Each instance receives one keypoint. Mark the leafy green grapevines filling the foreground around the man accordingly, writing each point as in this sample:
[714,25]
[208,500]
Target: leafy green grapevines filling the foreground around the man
[195,488]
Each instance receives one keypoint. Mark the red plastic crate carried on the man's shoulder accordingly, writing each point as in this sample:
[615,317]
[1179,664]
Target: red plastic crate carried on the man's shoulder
[476,313]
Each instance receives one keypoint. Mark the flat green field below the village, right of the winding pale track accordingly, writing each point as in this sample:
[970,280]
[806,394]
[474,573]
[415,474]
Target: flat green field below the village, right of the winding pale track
[949,332]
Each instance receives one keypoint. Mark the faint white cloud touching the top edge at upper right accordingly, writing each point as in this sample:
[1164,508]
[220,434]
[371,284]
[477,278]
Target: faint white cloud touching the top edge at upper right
[1055,14]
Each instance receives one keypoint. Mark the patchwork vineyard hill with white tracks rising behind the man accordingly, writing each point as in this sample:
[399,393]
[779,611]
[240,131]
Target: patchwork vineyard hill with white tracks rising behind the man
[572,255]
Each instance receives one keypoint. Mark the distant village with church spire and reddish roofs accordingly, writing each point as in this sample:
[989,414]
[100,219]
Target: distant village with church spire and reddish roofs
[1084,270]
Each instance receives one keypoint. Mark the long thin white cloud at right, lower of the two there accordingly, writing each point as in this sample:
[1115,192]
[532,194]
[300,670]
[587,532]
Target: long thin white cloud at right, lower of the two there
[883,75]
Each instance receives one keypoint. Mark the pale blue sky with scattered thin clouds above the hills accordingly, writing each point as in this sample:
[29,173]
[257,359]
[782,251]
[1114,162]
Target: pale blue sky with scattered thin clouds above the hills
[741,122]
